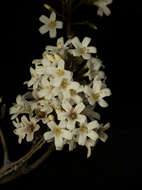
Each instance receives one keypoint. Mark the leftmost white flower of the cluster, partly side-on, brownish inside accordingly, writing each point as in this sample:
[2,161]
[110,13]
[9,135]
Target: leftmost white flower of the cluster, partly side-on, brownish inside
[21,106]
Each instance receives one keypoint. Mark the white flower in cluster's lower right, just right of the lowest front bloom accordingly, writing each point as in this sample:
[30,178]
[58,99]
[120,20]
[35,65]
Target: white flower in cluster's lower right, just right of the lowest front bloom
[86,130]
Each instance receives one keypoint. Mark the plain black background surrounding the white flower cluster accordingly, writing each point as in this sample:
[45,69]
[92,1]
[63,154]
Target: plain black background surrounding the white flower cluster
[118,40]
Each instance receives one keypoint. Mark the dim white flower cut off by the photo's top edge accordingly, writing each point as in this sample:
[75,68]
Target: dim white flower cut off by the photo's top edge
[102,7]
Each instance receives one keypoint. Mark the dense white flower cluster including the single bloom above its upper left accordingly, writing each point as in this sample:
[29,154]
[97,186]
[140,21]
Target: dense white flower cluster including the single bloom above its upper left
[57,104]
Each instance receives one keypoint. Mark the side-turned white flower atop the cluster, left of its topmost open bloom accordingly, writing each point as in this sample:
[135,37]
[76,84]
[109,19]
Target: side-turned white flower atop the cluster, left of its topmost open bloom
[60,48]
